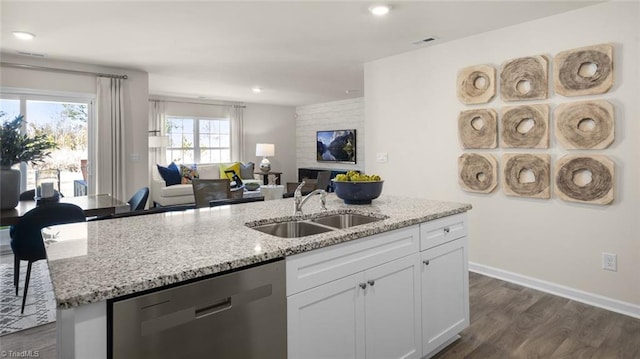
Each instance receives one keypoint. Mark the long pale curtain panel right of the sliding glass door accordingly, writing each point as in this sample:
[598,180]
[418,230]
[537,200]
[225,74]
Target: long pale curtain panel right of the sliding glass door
[111,165]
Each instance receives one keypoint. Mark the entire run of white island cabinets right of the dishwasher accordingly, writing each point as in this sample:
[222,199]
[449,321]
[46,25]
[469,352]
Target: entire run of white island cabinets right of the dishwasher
[399,294]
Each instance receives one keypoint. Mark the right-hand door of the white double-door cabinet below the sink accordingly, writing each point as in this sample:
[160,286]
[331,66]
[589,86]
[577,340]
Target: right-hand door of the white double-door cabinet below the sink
[392,301]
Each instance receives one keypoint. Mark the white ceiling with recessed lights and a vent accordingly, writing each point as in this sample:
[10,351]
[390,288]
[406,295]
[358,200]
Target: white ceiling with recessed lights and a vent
[298,52]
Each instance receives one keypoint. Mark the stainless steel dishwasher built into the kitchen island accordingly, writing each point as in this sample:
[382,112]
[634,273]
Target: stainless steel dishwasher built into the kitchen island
[237,315]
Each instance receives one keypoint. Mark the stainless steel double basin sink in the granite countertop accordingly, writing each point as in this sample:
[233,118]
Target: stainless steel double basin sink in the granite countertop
[308,227]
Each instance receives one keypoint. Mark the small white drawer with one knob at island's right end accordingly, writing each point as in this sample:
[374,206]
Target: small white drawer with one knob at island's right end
[442,230]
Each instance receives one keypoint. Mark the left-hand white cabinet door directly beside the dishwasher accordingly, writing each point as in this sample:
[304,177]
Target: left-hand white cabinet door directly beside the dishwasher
[327,321]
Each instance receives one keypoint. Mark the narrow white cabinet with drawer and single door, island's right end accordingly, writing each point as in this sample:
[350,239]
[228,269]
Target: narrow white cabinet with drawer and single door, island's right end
[445,282]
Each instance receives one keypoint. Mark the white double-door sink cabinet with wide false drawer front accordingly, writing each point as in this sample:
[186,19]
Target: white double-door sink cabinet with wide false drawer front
[372,310]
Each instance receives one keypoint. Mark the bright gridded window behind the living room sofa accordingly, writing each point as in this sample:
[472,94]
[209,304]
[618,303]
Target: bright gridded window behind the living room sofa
[199,140]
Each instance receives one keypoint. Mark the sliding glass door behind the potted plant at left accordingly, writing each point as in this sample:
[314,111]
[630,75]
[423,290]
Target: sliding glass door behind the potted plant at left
[68,121]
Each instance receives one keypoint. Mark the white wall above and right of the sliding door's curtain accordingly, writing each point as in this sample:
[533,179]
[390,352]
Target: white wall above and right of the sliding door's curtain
[136,89]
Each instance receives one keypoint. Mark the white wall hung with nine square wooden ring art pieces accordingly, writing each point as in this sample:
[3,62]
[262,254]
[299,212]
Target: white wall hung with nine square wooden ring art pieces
[411,112]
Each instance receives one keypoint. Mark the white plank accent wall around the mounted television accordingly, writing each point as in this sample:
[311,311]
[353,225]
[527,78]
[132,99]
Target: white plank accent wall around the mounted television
[335,115]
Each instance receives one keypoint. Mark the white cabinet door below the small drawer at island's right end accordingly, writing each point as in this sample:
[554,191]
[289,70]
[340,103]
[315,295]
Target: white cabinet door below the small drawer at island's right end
[445,293]
